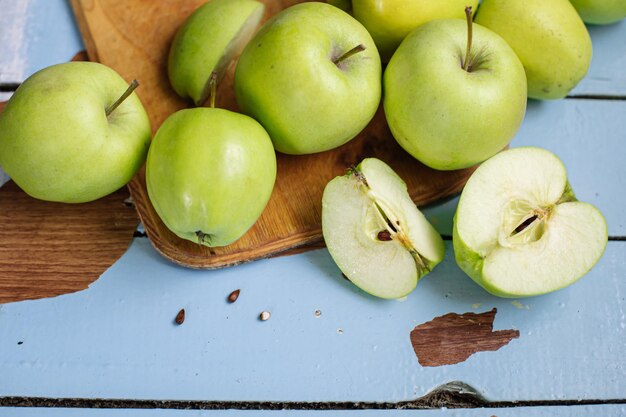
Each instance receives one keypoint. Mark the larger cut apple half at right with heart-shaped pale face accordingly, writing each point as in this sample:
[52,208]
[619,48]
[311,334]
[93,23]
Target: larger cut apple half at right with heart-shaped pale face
[519,230]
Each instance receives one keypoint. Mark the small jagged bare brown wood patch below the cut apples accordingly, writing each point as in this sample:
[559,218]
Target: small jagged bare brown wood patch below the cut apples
[452,338]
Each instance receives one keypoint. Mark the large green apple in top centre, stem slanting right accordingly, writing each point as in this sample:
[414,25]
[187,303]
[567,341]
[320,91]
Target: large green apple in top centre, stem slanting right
[287,80]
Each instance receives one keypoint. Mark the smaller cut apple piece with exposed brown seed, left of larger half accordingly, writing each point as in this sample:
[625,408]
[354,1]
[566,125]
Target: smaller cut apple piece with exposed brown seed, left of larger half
[375,233]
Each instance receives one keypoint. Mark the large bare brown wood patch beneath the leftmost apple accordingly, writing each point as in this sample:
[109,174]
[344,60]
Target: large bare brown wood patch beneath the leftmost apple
[48,249]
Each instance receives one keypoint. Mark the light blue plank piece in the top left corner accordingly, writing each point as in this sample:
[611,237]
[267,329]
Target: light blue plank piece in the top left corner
[35,34]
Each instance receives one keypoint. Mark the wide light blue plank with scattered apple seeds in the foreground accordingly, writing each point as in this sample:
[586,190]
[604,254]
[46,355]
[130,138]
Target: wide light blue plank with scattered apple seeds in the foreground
[118,340]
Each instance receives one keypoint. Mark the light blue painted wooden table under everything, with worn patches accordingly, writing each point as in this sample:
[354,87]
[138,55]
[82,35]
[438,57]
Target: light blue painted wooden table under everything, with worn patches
[327,345]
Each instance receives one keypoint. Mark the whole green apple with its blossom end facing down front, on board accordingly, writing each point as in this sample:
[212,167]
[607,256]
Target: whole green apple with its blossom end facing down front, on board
[210,171]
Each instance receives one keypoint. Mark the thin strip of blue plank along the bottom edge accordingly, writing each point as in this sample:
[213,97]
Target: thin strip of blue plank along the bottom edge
[613,410]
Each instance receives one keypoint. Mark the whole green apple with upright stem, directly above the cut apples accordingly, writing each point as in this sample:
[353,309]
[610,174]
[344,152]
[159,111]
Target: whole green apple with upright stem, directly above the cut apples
[444,116]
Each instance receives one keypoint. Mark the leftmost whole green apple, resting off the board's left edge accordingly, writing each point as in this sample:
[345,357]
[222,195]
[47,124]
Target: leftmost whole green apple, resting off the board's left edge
[56,141]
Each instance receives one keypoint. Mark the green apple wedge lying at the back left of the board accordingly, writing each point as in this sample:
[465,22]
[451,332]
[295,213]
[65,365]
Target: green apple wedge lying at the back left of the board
[208,41]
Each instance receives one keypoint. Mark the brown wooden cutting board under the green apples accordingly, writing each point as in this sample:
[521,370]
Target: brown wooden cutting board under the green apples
[133,37]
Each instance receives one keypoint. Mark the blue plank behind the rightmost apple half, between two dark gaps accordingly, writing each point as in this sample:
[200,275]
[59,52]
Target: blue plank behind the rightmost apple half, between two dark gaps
[588,136]
